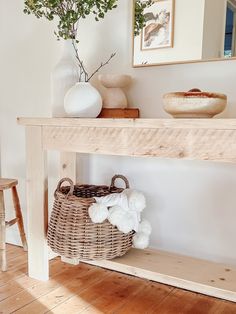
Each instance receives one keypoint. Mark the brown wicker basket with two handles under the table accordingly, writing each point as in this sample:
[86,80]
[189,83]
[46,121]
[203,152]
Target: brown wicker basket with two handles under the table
[71,232]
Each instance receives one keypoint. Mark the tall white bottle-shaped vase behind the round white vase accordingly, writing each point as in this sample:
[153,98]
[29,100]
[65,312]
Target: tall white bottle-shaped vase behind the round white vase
[63,77]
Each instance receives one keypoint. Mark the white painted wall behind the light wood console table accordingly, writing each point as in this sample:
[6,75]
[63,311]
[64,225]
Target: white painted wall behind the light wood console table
[191,205]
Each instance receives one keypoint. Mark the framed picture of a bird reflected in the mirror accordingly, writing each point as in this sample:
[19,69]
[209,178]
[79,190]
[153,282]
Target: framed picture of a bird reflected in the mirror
[158,31]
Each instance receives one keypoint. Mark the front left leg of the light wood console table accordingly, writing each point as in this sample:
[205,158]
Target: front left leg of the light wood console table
[37,204]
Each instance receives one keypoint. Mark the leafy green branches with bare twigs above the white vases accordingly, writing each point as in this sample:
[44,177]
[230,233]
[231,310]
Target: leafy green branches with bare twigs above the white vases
[69,13]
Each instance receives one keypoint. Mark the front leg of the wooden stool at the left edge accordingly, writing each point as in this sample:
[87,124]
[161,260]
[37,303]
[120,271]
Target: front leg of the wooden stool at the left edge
[2,234]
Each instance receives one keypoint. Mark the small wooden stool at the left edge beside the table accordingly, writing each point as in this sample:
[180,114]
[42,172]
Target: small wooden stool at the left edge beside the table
[4,185]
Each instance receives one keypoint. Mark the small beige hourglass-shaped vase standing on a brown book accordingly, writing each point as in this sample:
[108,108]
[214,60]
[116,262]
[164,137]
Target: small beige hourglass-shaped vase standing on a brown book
[114,96]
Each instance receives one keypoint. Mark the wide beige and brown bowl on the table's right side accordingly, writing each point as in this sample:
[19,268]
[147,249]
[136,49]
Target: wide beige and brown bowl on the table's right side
[194,104]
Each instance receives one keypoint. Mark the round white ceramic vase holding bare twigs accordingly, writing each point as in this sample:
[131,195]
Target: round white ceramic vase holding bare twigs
[82,101]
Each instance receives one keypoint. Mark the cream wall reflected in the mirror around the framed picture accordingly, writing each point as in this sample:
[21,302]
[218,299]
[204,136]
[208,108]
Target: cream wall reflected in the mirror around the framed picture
[188,34]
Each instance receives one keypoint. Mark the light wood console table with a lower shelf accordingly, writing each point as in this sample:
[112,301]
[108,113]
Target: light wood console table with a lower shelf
[203,139]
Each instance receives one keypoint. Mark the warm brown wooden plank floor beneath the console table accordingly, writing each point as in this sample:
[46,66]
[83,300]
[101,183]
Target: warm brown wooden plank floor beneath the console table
[90,289]
